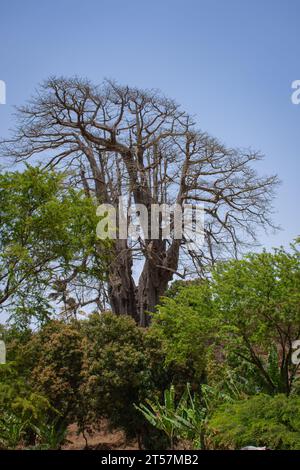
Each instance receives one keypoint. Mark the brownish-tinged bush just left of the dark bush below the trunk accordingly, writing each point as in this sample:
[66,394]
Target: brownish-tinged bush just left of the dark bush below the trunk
[56,356]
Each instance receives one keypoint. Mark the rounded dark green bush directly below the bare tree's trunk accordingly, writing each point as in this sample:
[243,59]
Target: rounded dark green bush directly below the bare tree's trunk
[117,372]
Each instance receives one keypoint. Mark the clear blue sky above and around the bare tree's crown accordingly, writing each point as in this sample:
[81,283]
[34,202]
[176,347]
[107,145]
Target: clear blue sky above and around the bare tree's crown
[231,63]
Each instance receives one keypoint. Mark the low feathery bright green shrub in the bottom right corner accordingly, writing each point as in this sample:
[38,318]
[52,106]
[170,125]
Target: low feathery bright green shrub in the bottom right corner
[259,421]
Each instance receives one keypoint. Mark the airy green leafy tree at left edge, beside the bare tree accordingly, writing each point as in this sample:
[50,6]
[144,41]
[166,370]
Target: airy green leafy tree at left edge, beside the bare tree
[48,248]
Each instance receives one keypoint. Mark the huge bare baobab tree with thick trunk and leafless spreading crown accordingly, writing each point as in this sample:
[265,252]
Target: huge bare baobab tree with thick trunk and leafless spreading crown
[120,140]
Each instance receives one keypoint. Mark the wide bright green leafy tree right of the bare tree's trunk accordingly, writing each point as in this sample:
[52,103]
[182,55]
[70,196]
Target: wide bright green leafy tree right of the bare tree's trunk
[242,321]
